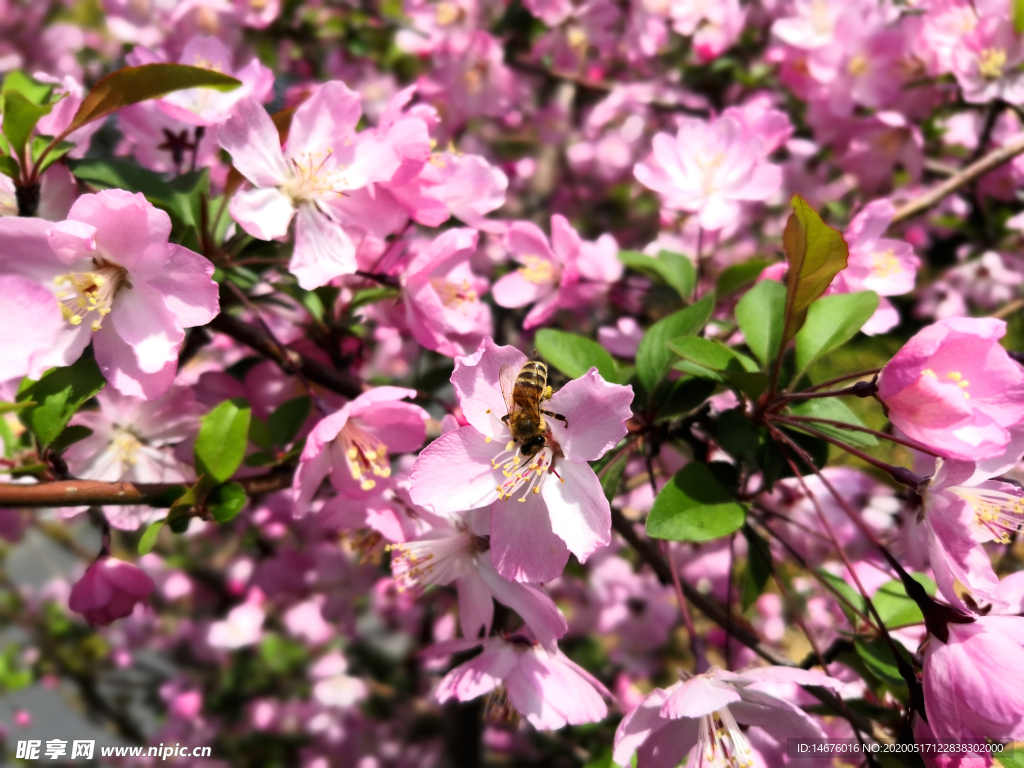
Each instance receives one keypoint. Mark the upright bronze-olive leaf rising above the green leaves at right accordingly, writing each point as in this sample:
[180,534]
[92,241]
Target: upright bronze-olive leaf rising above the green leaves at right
[817,254]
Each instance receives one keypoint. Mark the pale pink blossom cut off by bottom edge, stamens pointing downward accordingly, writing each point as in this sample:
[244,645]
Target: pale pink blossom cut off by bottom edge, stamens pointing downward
[707,711]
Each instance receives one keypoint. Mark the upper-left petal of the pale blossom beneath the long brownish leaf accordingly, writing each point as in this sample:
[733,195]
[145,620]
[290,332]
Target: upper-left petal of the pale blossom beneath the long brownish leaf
[252,141]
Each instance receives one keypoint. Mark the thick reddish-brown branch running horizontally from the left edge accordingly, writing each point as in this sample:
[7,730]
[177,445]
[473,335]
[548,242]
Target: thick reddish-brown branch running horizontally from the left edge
[89,493]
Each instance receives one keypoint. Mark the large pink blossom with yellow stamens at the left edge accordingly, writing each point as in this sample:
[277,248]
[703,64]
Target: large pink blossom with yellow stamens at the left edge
[117,282]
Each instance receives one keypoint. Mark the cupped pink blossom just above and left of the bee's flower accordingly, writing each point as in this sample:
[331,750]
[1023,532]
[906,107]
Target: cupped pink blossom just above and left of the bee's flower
[444,310]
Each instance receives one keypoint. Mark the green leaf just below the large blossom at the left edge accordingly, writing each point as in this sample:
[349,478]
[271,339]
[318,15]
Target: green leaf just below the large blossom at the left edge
[60,394]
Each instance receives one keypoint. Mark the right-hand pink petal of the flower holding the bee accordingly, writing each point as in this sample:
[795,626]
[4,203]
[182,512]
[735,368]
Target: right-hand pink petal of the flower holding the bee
[596,412]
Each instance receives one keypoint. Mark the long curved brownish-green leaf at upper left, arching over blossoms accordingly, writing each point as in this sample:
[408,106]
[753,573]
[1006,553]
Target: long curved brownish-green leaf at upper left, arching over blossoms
[134,84]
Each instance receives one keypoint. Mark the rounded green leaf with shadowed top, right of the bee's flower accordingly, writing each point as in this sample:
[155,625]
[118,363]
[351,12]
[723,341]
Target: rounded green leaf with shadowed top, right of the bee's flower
[695,507]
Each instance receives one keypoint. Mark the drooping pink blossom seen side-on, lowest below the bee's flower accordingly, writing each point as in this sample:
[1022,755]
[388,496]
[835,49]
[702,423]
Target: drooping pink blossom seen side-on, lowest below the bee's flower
[546,688]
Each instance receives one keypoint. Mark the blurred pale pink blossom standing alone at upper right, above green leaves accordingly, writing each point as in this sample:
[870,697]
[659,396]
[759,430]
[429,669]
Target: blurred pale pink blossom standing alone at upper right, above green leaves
[709,169]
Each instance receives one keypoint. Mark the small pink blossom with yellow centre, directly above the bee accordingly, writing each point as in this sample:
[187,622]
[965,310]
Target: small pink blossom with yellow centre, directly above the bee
[549,269]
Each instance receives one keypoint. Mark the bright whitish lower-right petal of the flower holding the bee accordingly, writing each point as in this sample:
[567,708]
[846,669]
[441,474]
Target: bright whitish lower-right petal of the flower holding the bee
[579,510]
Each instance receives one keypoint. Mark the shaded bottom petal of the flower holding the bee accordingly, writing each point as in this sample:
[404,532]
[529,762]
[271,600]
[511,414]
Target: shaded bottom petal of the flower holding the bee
[524,548]
